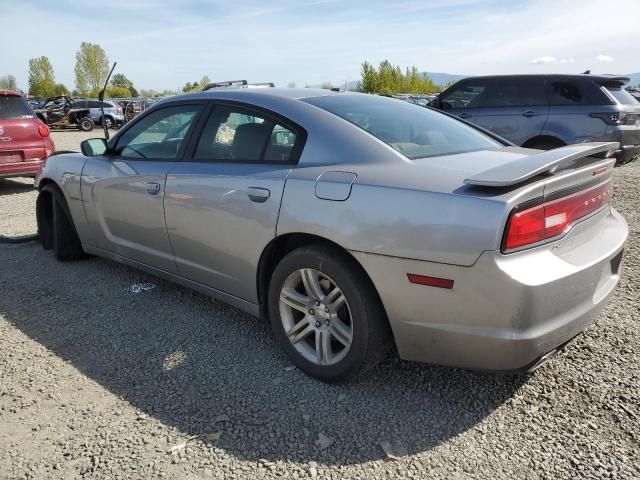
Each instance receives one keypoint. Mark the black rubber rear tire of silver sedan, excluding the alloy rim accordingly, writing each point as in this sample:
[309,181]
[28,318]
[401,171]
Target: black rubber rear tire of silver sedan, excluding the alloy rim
[371,340]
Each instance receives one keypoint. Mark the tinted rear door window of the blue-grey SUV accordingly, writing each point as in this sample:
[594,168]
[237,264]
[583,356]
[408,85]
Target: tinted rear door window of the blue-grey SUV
[514,92]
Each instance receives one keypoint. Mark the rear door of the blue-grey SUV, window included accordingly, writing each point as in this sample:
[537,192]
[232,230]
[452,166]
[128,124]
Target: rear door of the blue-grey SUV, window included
[516,108]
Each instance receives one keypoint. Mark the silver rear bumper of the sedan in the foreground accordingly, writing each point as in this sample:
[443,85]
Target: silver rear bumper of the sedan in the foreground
[506,311]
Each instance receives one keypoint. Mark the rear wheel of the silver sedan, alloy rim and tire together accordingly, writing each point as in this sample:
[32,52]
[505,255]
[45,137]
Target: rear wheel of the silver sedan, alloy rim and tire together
[360,320]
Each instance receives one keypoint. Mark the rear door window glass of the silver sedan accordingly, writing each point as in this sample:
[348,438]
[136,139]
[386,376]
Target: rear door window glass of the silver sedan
[240,135]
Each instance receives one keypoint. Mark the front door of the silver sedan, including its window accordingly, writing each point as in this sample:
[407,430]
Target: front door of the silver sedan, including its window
[124,191]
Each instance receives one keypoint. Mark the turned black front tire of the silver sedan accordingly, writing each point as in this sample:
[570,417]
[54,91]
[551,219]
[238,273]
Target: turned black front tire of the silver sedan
[59,233]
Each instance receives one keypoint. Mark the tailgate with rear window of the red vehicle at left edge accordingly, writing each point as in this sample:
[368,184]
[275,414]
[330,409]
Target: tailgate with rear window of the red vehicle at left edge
[19,137]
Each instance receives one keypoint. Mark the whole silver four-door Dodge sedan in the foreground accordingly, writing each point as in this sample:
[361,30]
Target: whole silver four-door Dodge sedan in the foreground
[353,222]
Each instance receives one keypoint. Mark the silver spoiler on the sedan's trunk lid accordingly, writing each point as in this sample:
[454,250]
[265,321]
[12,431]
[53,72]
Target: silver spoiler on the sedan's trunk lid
[524,168]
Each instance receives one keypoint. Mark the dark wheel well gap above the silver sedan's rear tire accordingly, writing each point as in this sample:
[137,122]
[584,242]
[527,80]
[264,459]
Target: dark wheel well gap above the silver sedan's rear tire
[278,248]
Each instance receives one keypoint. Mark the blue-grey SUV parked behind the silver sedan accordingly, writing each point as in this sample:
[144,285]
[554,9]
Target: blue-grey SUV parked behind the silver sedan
[549,111]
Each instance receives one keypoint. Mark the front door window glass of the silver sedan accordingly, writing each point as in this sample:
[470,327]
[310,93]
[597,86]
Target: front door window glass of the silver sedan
[158,135]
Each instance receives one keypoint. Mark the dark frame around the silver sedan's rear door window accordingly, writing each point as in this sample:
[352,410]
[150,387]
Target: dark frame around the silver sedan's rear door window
[276,118]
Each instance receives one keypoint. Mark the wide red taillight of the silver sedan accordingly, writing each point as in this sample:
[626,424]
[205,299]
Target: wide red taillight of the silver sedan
[554,218]
